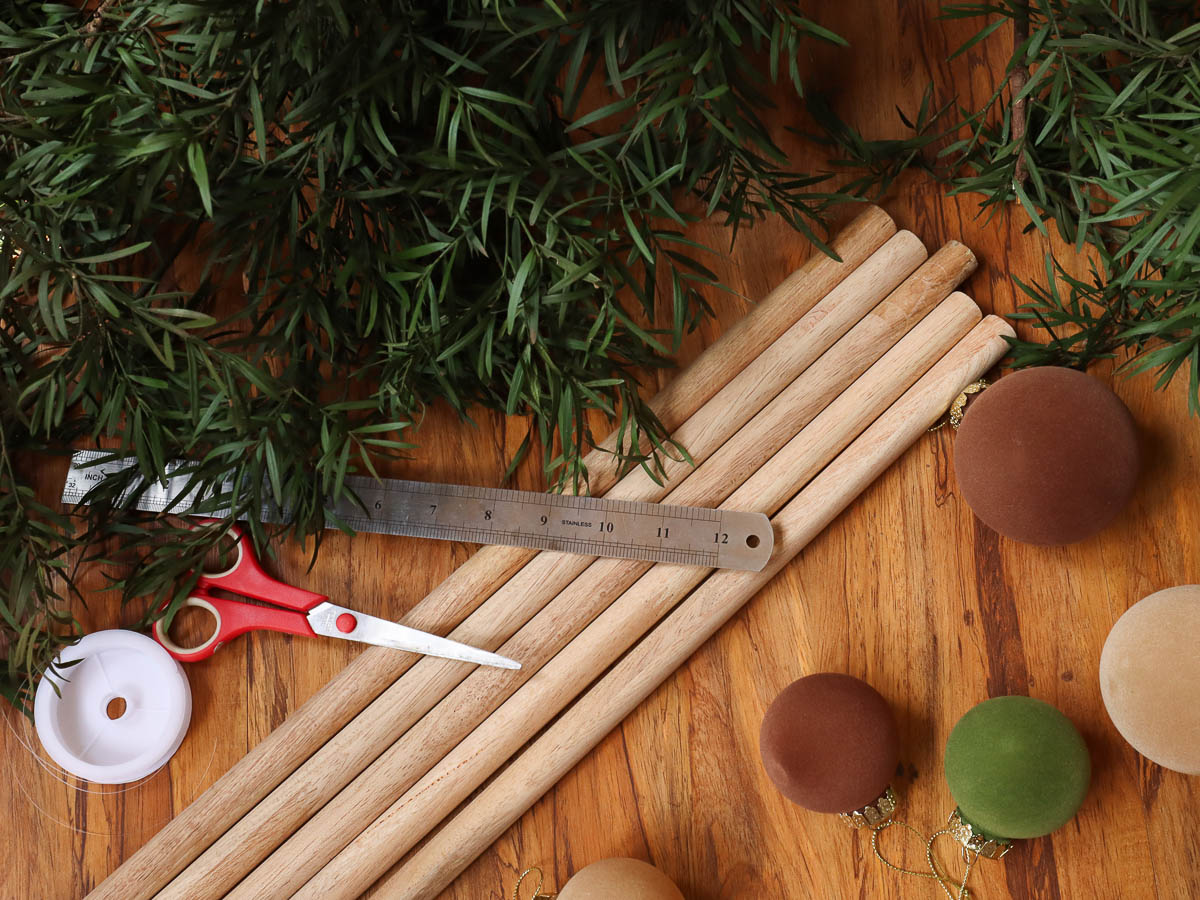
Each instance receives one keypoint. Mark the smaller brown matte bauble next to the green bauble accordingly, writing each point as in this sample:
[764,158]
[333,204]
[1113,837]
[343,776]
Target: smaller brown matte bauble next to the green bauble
[830,743]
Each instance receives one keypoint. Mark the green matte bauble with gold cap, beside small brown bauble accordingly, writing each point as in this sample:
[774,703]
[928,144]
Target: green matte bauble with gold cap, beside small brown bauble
[1017,769]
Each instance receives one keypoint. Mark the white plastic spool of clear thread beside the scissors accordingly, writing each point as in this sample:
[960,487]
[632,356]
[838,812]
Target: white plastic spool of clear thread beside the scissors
[76,728]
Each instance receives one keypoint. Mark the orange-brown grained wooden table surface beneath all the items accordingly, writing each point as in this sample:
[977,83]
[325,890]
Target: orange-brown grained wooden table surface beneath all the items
[905,590]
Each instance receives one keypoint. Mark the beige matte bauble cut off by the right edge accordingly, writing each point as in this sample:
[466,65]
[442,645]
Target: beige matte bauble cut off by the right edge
[1150,677]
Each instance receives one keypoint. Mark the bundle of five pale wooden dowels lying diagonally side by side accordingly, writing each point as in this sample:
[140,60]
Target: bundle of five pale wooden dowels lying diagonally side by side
[793,413]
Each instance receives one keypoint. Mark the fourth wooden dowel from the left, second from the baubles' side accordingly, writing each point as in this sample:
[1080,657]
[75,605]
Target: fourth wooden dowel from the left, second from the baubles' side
[472,761]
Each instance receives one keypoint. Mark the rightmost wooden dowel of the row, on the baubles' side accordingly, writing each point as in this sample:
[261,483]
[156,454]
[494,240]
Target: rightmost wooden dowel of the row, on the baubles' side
[603,707]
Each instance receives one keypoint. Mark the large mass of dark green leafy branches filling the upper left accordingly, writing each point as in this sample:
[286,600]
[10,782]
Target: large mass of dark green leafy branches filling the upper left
[482,202]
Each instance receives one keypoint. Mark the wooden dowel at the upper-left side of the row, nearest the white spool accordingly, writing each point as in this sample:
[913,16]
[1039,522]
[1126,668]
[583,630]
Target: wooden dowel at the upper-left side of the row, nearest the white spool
[315,723]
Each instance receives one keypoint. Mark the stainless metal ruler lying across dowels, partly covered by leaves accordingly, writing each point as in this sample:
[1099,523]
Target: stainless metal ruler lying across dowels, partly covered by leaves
[689,536]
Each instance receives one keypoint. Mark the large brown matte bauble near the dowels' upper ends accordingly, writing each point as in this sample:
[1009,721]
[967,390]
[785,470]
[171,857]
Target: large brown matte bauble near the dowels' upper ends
[1047,457]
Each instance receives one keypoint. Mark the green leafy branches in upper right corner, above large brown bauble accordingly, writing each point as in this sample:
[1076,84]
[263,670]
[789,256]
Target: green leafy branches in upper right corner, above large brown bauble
[1112,149]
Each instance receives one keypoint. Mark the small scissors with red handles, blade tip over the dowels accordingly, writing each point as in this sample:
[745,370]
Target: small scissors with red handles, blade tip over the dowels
[304,614]
